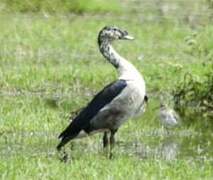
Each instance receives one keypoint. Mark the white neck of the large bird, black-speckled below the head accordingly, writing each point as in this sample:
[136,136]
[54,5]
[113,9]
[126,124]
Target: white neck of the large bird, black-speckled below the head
[125,69]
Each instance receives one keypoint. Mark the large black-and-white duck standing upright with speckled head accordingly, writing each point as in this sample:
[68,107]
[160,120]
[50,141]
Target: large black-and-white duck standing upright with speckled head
[117,102]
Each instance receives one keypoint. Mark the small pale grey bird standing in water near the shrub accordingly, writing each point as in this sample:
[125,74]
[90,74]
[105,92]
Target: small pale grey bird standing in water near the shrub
[168,117]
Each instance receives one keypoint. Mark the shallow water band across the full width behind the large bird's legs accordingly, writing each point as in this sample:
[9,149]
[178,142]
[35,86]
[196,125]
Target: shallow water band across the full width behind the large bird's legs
[155,144]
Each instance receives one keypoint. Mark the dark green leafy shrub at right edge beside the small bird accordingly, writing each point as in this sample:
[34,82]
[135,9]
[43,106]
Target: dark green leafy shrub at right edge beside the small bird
[193,97]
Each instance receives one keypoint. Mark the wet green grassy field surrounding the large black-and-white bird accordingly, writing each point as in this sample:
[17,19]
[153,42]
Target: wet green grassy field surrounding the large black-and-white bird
[50,65]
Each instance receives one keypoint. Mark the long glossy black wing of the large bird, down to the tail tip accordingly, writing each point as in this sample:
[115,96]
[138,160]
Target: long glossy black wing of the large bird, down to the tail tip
[82,121]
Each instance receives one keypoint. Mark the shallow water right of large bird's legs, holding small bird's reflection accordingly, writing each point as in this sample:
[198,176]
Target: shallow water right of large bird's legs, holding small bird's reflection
[179,145]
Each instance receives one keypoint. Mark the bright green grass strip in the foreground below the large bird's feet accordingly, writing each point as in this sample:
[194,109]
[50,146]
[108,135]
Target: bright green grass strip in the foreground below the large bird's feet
[93,167]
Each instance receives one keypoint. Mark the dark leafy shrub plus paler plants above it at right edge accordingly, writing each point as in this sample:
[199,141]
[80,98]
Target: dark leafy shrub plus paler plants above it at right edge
[193,95]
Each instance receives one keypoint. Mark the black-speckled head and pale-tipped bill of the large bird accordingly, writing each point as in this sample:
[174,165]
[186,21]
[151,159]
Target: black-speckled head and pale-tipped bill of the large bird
[111,33]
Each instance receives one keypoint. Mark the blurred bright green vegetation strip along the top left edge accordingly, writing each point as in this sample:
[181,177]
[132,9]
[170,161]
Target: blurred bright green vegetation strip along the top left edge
[75,6]
